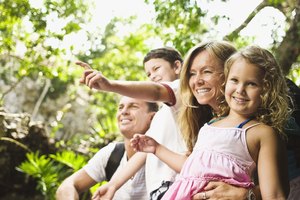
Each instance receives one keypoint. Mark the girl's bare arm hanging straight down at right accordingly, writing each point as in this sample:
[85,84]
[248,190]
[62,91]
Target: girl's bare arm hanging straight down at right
[272,164]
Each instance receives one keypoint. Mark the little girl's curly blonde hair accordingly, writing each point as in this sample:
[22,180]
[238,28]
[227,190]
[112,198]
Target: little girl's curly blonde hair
[274,109]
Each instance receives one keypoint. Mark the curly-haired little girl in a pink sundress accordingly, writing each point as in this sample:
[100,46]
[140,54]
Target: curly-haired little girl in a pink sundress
[247,136]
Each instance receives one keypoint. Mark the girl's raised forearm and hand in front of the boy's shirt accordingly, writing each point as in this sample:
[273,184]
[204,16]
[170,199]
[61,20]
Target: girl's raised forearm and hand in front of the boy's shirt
[147,144]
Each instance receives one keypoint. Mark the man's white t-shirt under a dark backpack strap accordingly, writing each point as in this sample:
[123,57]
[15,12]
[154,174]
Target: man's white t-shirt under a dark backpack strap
[134,188]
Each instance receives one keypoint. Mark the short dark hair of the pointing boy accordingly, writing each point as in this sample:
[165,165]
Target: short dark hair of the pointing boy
[167,53]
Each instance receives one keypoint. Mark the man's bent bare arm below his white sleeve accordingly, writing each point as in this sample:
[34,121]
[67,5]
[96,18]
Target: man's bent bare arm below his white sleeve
[75,184]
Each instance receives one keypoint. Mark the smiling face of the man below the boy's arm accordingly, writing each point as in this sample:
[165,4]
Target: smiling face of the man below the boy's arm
[133,116]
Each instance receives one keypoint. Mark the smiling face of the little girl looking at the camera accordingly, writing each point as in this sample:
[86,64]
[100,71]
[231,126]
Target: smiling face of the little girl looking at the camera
[243,87]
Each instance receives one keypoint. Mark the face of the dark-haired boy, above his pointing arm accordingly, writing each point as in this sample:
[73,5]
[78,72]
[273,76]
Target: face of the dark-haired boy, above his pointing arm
[158,70]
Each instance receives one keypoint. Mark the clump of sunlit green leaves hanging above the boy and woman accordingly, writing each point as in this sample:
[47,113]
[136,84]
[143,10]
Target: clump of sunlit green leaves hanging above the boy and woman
[185,28]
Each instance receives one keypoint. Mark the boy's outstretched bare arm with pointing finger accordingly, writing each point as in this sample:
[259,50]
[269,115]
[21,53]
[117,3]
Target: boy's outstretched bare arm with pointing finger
[145,90]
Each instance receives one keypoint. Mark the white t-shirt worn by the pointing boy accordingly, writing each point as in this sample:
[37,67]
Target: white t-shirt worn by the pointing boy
[165,131]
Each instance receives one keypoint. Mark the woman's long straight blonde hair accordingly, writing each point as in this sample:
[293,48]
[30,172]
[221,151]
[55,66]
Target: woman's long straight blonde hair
[192,115]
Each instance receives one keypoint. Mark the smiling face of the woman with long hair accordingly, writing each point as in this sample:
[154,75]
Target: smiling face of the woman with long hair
[206,79]
